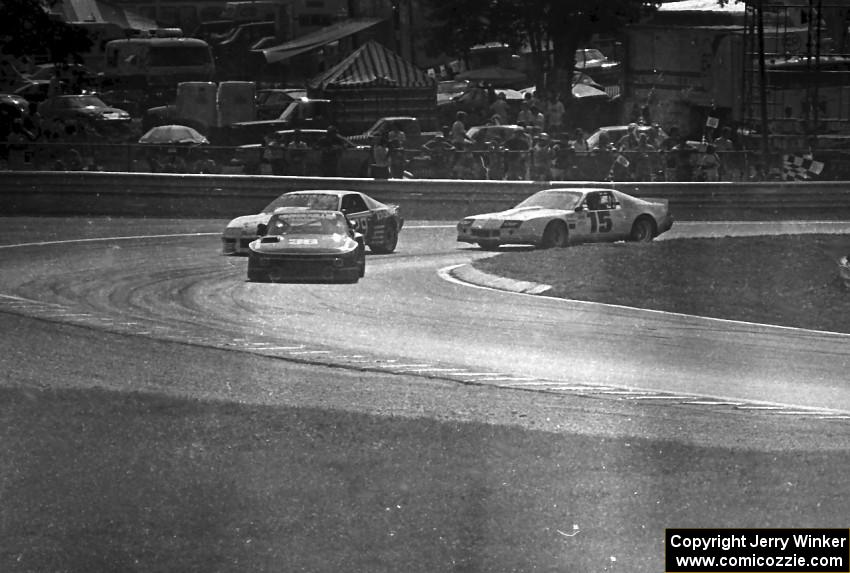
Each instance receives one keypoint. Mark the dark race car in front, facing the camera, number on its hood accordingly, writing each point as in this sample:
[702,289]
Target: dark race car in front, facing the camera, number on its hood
[307,245]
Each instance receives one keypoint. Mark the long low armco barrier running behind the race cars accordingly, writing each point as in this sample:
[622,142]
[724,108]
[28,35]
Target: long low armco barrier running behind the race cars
[224,196]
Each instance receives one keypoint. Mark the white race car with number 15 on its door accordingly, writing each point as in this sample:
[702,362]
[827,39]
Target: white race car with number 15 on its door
[560,217]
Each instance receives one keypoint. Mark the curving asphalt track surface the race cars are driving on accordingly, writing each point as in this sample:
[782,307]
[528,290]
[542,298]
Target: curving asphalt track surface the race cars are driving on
[406,317]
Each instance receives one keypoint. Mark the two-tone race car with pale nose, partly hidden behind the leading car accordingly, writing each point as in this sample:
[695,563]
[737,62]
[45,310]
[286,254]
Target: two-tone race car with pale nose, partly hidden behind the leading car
[379,223]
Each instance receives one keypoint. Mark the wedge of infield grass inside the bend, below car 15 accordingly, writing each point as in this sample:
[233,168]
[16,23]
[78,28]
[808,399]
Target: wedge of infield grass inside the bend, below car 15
[787,280]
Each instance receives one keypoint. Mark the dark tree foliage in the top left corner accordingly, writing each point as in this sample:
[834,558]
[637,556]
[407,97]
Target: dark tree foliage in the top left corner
[27,28]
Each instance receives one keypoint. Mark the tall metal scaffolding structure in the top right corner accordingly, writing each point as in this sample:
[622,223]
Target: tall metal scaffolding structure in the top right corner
[796,72]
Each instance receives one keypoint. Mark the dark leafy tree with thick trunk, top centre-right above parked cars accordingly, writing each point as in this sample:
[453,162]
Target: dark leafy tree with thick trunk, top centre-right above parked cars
[561,26]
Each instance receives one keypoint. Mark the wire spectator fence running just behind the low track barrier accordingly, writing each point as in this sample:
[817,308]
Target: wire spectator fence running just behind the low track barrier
[471,164]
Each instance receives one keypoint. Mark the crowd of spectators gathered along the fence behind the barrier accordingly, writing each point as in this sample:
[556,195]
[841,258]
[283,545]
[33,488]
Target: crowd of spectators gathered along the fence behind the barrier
[545,148]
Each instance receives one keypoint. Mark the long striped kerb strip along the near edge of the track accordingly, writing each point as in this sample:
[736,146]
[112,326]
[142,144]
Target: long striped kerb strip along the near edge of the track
[331,357]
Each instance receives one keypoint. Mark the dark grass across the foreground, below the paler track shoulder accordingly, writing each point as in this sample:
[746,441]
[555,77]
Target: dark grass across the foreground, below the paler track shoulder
[95,481]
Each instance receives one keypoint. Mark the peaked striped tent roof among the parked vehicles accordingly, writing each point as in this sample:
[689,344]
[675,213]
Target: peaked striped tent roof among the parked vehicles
[372,65]
